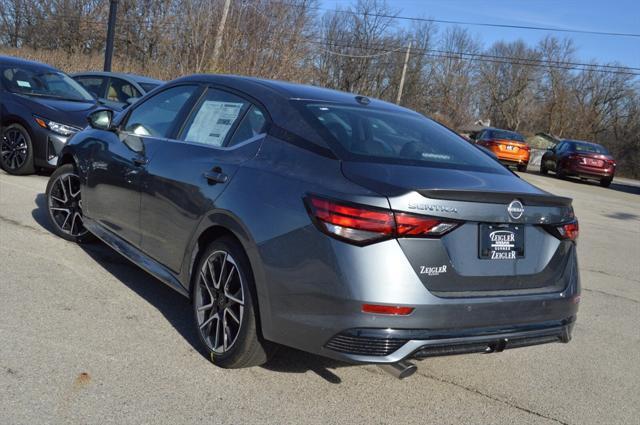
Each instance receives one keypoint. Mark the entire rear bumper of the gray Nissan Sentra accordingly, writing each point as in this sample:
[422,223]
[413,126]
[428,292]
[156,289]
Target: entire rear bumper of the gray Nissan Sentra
[323,309]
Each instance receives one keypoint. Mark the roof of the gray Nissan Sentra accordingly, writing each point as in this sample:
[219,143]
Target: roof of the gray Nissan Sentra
[262,89]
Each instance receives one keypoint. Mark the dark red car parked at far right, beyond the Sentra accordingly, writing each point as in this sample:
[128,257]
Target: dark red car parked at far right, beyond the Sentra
[582,159]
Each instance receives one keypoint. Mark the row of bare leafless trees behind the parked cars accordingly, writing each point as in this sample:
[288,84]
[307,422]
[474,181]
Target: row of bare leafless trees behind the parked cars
[450,74]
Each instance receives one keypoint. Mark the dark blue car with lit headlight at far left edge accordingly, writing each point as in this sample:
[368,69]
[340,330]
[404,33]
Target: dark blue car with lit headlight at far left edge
[40,109]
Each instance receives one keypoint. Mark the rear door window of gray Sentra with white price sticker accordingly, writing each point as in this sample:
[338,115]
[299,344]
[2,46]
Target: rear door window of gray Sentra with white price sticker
[214,118]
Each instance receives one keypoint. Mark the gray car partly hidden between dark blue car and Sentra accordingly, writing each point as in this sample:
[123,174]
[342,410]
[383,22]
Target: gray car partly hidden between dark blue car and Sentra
[116,90]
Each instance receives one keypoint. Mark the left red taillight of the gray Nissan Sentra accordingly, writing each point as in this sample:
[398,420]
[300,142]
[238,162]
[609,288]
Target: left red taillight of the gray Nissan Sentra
[361,224]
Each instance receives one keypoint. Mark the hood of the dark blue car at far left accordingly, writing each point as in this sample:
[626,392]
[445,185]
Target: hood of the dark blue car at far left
[62,111]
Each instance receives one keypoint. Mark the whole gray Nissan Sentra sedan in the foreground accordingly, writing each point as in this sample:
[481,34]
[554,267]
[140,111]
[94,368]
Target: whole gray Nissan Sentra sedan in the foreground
[328,222]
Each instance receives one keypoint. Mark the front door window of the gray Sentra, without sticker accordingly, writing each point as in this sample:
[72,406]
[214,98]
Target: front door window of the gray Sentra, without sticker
[156,116]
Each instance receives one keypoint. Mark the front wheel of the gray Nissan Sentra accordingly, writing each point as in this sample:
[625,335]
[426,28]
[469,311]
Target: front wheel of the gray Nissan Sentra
[64,205]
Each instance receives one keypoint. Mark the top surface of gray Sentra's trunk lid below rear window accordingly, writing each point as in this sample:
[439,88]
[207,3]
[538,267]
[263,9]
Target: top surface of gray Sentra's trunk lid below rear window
[393,180]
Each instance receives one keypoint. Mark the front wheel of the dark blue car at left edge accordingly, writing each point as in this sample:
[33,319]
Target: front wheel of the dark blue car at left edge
[16,150]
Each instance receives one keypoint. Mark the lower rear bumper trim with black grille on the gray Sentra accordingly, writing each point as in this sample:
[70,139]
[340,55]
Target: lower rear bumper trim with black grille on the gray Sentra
[393,345]
